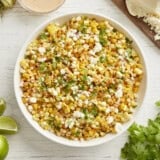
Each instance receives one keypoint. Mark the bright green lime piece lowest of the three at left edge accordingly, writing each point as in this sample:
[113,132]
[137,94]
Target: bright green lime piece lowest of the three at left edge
[4,147]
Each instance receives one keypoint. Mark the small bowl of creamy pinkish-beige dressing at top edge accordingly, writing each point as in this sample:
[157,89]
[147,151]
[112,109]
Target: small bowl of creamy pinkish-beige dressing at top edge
[41,6]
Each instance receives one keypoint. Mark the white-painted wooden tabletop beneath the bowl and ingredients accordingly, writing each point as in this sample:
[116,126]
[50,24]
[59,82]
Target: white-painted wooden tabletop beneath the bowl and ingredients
[15,26]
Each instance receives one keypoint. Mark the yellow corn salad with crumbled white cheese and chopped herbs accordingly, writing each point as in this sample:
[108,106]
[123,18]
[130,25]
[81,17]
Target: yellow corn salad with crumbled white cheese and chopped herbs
[80,80]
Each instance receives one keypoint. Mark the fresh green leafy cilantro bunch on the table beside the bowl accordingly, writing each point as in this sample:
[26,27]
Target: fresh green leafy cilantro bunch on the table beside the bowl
[143,141]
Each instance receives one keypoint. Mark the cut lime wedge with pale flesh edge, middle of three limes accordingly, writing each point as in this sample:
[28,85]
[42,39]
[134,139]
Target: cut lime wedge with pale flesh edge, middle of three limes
[8,125]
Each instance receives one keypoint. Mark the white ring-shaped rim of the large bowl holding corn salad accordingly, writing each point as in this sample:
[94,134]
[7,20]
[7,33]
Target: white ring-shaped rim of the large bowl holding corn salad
[34,124]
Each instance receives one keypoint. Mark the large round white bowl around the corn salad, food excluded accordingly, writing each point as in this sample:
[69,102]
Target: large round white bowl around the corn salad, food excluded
[51,136]
